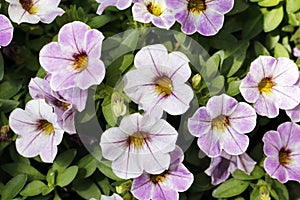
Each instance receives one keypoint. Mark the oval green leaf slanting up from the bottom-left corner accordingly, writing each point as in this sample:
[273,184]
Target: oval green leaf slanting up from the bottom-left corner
[13,187]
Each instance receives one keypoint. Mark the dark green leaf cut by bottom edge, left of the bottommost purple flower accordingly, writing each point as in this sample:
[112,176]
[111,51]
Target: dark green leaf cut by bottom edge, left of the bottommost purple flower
[86,189]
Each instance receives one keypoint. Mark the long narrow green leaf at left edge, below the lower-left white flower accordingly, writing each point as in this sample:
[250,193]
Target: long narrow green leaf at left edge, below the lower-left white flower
[21,168]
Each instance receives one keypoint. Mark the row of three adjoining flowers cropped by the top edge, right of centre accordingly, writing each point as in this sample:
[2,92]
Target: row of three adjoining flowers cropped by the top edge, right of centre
[203,16]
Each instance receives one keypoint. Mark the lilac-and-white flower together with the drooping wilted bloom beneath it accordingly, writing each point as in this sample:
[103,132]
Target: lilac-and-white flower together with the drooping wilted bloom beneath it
[221,127]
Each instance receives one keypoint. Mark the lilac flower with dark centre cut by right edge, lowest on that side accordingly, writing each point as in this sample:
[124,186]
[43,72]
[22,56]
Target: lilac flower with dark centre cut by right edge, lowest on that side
[282,148]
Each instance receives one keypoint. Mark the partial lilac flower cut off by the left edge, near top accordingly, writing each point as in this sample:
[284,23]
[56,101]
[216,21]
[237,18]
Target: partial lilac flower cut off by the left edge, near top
[6,31]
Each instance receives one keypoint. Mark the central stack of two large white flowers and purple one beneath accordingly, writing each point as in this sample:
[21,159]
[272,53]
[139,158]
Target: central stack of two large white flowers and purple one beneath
[143,146]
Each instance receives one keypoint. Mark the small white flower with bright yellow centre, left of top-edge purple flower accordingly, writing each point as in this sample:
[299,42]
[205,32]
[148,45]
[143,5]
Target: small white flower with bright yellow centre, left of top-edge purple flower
[155,11]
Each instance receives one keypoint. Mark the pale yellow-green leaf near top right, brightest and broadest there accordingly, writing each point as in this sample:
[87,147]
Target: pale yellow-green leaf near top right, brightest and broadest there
[272,18]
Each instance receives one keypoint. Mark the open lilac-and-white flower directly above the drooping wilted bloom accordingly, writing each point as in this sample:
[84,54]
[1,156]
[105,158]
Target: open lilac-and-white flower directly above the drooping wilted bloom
[222,125]
